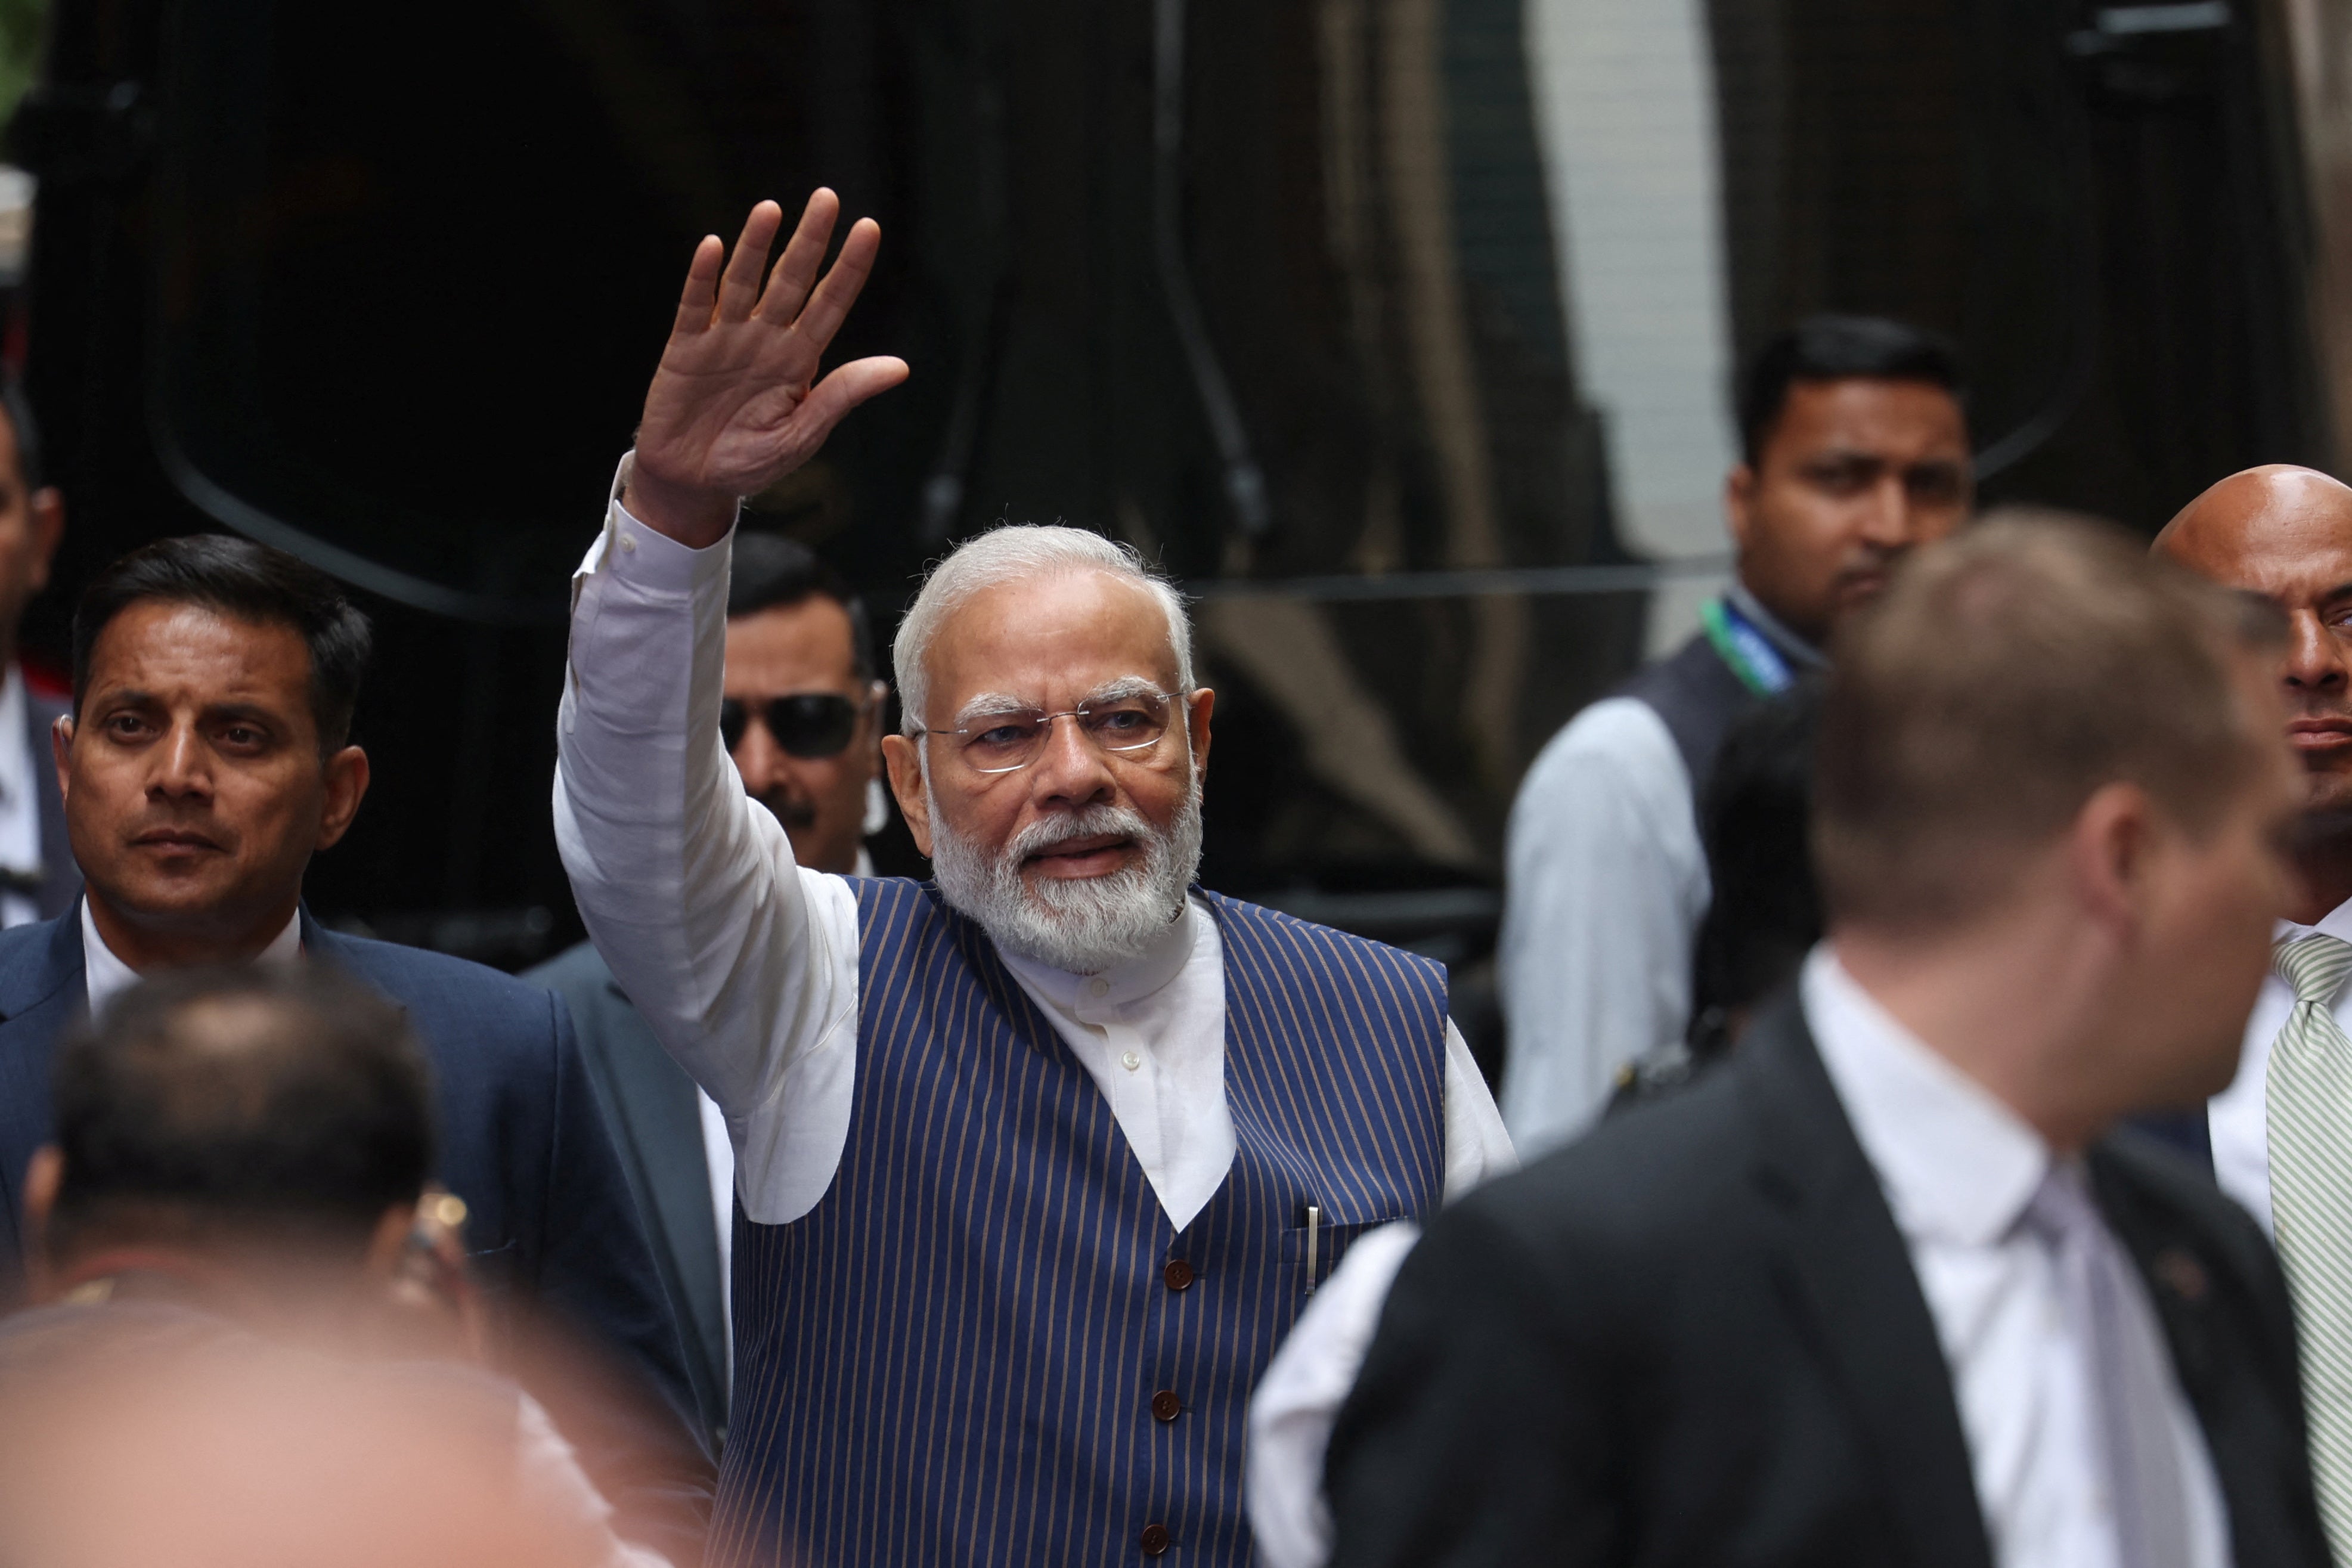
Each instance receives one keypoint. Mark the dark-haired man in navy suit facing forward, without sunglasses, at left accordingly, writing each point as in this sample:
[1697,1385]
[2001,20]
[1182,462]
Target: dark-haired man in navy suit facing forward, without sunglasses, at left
[206,763]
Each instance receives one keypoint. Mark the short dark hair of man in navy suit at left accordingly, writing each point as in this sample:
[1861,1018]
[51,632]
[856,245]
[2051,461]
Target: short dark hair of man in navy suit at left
[246,582]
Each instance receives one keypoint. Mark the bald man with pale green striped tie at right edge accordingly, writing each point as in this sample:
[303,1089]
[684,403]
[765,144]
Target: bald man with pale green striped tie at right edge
[2280,1139]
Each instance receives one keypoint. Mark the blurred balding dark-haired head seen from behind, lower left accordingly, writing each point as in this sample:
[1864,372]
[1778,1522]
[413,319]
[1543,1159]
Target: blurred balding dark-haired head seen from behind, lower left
[255,1139]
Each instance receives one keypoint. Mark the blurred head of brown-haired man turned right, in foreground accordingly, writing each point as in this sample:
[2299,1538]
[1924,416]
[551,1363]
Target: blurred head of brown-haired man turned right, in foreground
[2054,758]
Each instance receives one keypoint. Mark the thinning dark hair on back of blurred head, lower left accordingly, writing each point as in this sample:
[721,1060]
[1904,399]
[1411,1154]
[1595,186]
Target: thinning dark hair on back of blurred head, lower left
[258,1101]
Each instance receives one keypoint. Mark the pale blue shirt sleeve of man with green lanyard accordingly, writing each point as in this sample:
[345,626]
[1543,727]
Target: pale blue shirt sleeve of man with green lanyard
[1605,892]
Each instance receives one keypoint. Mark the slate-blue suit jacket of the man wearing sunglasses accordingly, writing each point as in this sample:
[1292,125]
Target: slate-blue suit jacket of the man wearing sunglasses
[657,1125]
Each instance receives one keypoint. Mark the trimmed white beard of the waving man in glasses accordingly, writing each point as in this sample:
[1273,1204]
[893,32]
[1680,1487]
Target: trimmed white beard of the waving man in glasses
[1078,925]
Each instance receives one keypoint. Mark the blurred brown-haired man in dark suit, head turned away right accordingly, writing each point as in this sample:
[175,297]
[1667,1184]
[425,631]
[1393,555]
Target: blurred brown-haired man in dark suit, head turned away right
[1885,1289]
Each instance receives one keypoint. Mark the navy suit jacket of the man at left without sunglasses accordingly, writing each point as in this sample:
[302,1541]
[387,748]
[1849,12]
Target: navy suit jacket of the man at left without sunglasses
[549,1219]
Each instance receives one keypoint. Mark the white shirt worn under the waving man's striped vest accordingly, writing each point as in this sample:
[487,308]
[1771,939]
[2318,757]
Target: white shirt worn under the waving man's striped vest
[747,965]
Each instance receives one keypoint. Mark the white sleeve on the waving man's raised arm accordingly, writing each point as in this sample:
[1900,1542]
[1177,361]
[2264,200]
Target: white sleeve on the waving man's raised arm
[742,963]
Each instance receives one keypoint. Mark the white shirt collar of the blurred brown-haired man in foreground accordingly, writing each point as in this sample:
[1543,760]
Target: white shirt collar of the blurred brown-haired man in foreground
[1953,1160]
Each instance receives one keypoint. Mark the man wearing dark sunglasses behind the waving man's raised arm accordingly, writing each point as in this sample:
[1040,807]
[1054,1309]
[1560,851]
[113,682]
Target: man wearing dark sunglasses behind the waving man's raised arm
[803,723]
